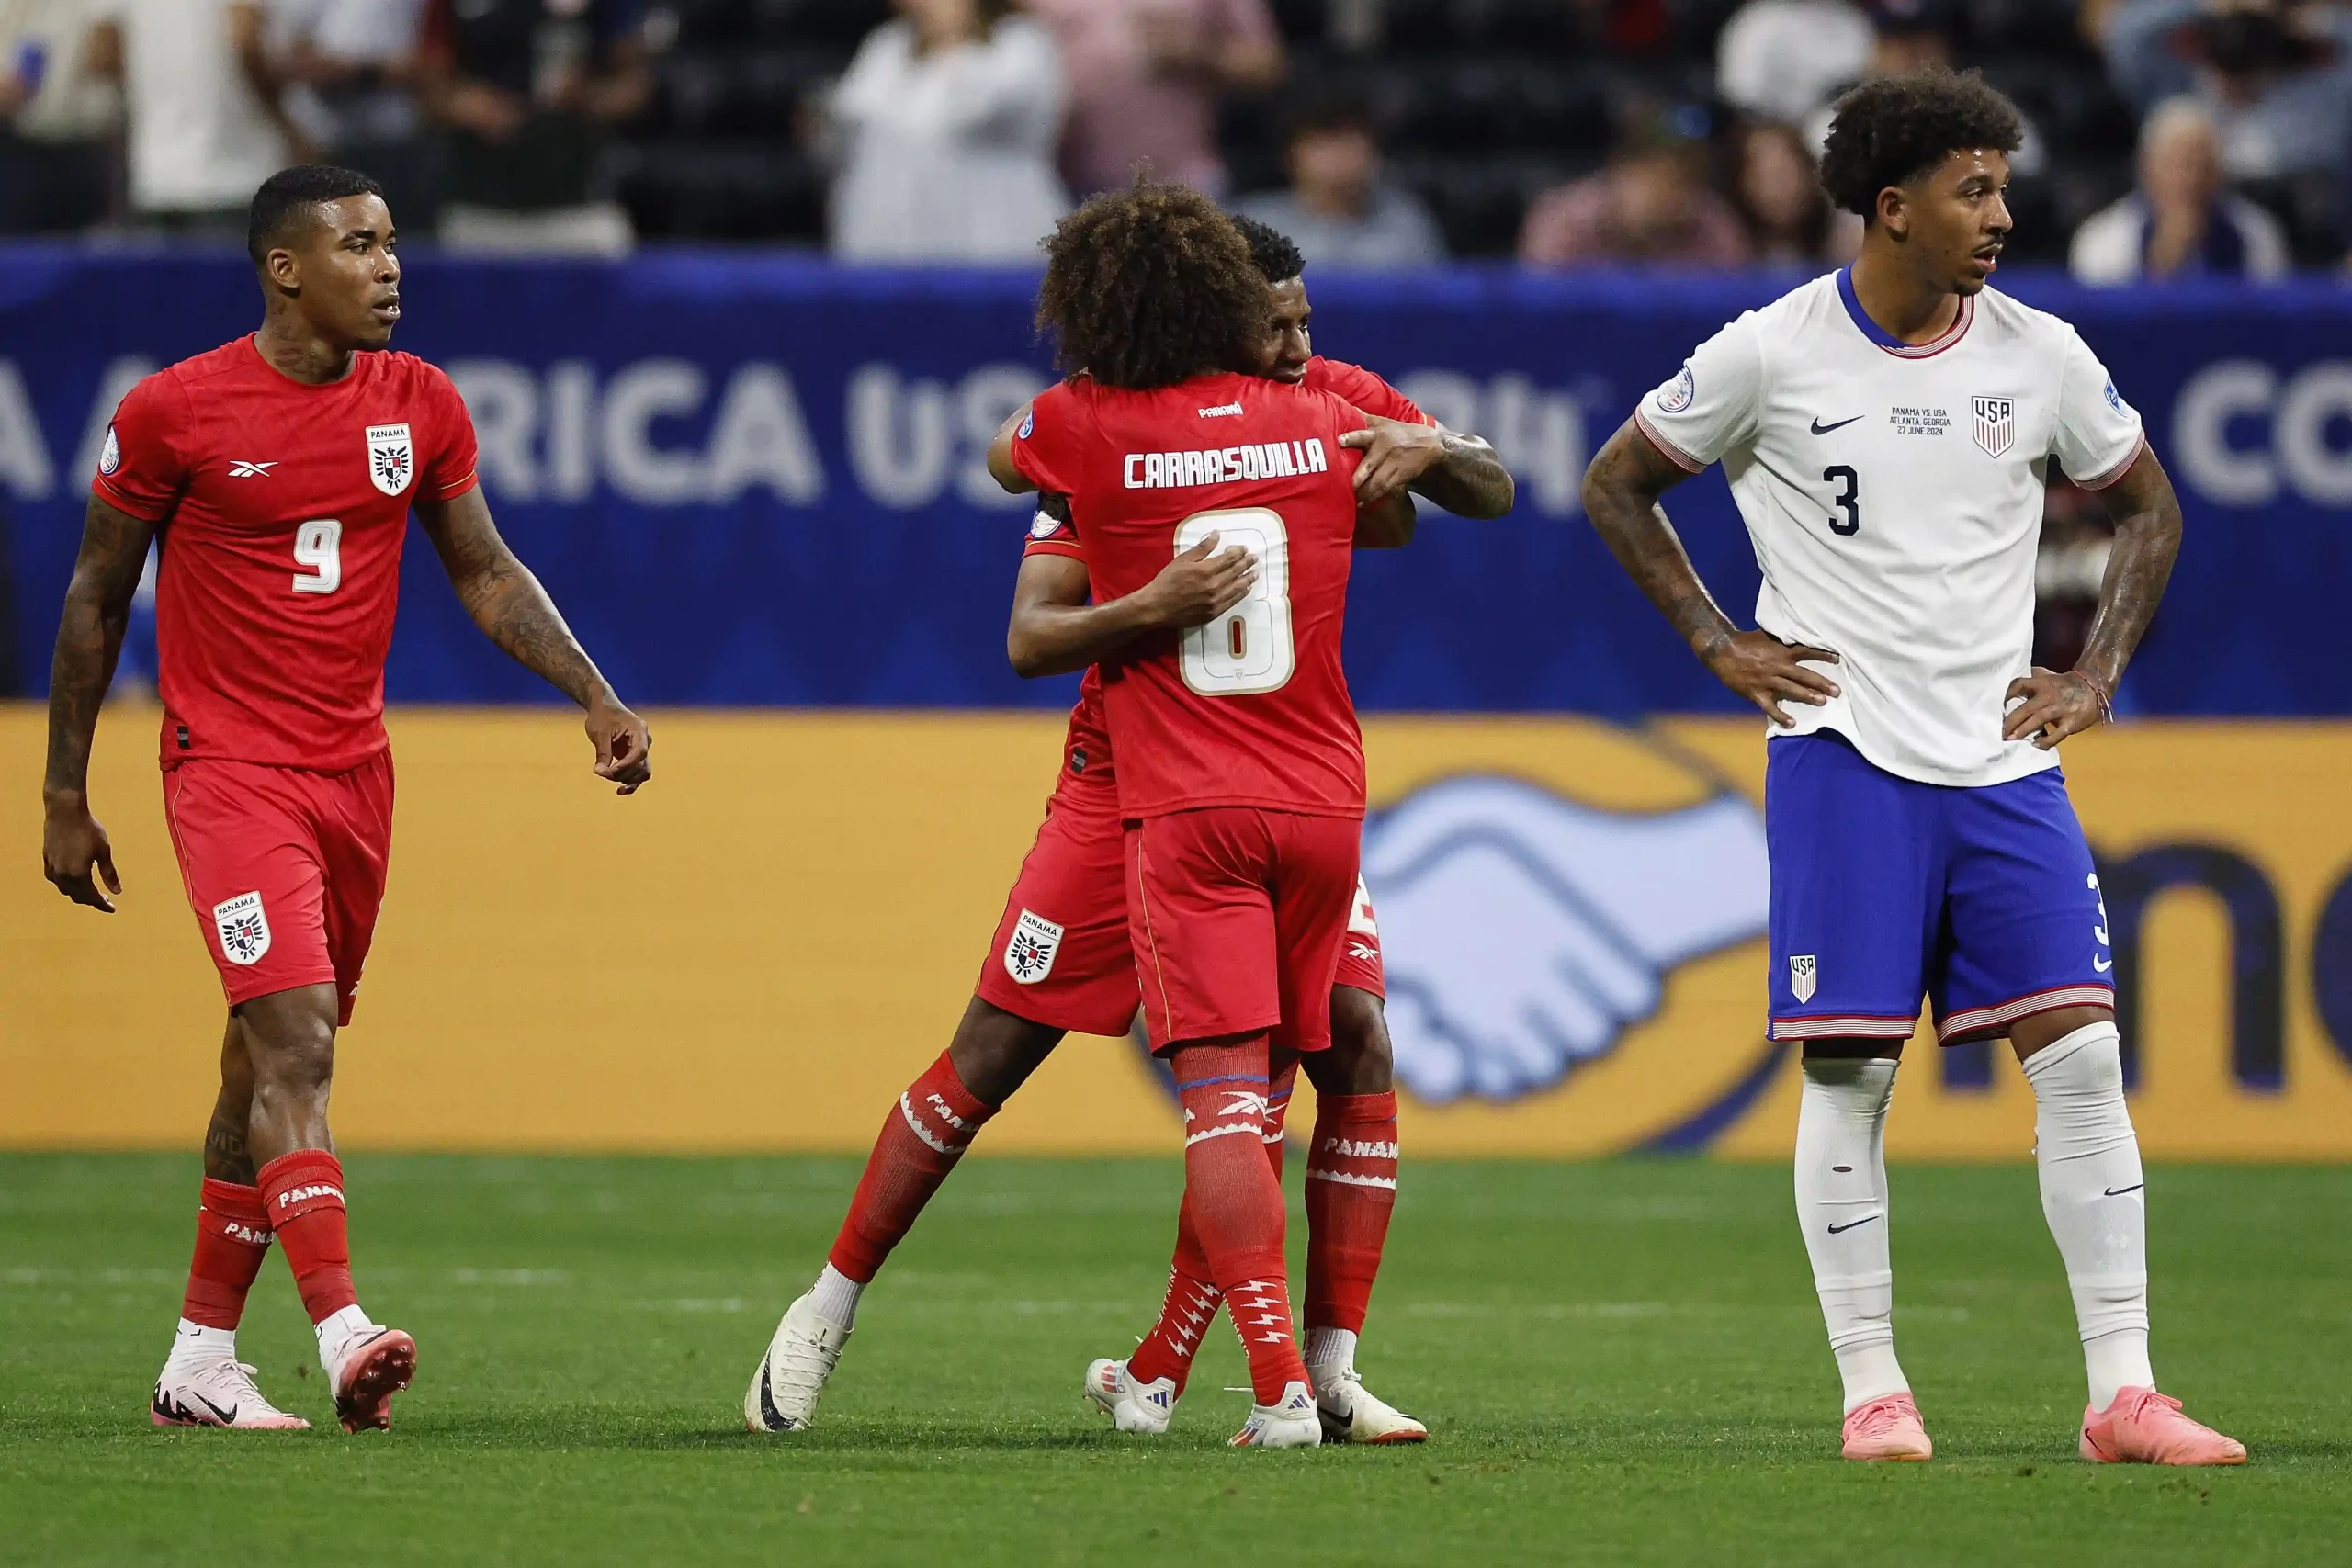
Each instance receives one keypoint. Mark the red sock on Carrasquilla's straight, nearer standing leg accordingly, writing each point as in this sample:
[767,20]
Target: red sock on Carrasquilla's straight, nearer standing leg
[1238,1205]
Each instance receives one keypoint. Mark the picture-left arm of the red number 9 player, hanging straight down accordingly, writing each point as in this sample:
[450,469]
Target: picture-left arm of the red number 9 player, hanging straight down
[74,847]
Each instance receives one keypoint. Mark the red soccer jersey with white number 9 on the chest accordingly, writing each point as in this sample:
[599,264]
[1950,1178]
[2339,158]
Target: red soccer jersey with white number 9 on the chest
[283,509]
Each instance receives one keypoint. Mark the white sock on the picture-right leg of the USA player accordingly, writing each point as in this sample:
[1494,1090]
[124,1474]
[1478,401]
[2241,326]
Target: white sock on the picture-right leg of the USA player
[2094,1200]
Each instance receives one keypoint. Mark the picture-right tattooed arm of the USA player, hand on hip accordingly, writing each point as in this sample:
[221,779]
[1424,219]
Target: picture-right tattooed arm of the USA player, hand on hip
[2146,514]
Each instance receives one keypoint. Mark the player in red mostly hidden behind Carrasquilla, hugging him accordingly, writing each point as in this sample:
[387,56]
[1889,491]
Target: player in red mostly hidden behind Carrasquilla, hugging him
[1062,958]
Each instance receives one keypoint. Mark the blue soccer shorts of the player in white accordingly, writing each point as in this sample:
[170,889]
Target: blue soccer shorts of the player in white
[1885,892]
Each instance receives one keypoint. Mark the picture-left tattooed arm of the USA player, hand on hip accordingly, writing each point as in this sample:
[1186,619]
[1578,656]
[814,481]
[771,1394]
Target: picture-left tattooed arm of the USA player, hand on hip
[1622,500]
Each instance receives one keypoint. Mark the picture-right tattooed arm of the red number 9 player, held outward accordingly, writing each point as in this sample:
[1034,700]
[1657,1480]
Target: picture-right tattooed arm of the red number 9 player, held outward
[514,610]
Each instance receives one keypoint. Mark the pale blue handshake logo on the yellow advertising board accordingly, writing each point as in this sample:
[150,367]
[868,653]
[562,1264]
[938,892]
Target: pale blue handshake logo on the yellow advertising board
[1525,932]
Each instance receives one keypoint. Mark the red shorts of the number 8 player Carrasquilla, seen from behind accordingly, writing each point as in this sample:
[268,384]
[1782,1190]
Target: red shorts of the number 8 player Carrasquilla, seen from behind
[1238,918]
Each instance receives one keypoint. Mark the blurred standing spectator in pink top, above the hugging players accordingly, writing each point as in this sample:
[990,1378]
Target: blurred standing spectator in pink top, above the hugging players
[1147,79]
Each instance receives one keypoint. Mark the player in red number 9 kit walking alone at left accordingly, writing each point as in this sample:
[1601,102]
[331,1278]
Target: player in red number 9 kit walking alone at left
[279,476]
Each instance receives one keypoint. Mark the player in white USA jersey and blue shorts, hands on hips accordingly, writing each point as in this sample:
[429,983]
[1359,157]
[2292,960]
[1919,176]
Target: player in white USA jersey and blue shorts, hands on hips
[1885,434]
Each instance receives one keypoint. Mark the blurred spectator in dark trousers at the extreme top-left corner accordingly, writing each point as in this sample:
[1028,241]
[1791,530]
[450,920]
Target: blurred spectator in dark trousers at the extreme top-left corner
[60,102]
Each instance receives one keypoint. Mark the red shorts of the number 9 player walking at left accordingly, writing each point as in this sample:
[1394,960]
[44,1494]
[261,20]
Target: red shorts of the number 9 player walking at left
[283,871]
